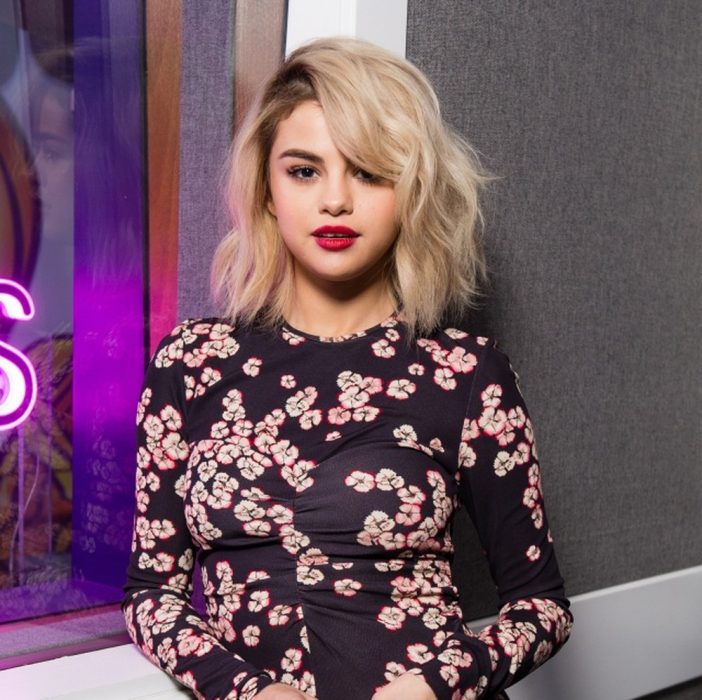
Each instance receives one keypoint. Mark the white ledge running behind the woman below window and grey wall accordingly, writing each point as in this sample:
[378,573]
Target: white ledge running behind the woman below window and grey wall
[628,641]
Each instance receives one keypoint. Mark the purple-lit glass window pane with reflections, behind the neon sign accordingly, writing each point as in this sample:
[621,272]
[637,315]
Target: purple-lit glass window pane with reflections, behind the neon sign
[72,235]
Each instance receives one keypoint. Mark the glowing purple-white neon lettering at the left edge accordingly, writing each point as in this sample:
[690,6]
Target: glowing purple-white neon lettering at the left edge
[18,380]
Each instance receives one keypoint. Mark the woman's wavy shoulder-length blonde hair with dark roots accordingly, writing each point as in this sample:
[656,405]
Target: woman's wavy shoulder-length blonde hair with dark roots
[384,116]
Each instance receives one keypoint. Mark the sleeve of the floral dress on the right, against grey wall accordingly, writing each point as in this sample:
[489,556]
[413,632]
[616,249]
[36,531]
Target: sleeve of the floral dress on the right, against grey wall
[499,483]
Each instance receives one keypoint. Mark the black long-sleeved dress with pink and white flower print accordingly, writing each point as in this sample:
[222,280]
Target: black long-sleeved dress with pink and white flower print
[314,480]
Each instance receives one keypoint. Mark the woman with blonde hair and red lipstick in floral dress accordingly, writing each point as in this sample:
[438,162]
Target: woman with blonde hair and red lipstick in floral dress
[310,450]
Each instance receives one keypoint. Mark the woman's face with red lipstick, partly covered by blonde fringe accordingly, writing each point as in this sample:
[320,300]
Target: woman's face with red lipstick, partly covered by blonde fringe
[338,221]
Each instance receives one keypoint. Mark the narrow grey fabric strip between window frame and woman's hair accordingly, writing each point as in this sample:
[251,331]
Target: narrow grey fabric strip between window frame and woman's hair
[206,108]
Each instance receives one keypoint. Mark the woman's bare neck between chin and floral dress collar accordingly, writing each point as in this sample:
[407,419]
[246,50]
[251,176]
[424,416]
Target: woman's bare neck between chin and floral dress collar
[333,310]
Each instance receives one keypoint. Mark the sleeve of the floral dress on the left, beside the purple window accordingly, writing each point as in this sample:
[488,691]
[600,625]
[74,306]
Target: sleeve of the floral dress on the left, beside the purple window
[159,616]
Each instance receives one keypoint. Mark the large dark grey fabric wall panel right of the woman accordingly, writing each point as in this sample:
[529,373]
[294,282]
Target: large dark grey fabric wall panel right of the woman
[591,113]
